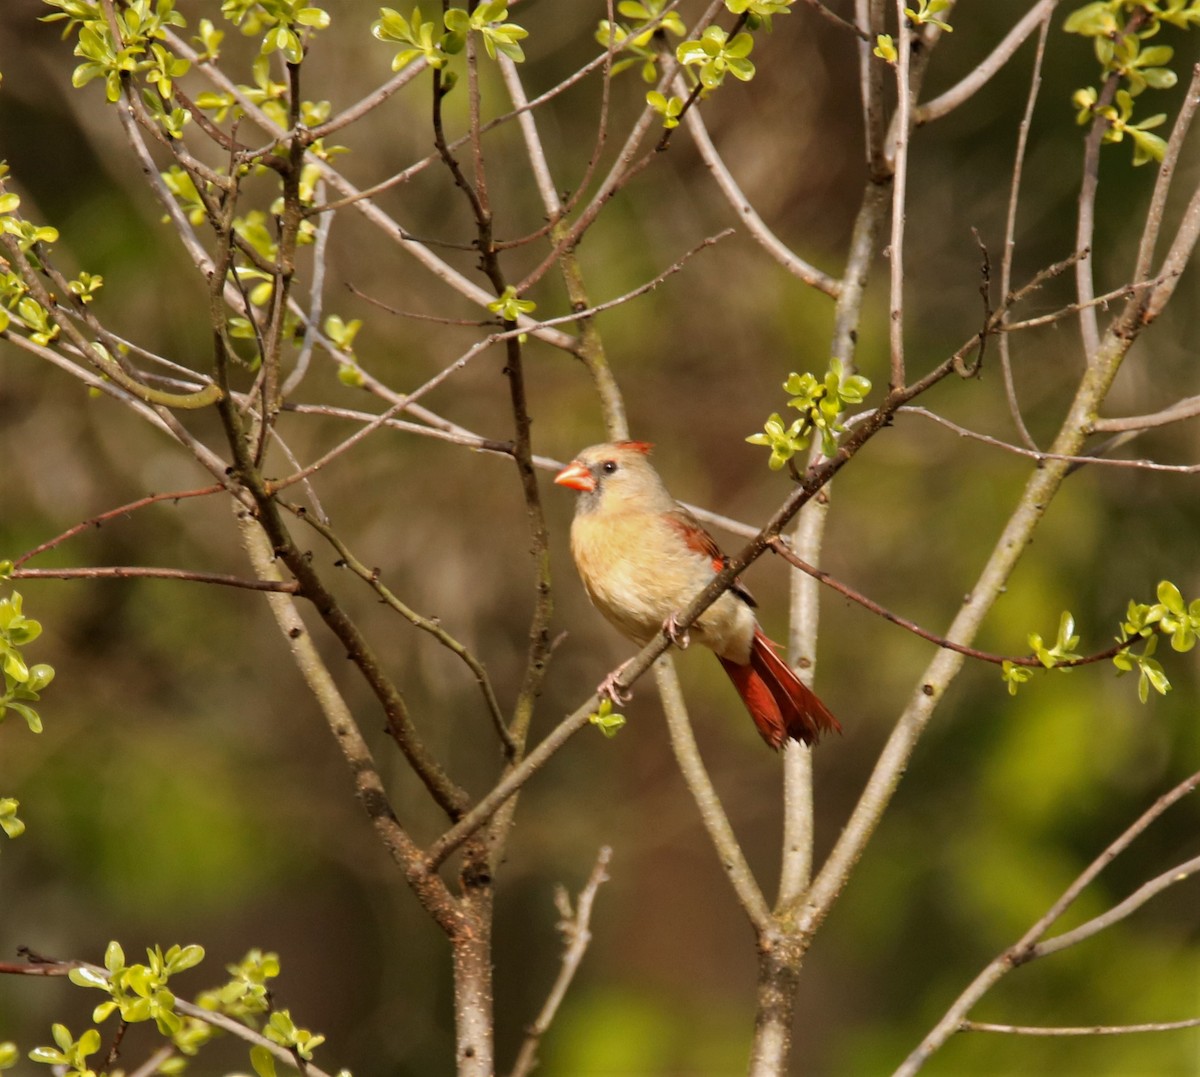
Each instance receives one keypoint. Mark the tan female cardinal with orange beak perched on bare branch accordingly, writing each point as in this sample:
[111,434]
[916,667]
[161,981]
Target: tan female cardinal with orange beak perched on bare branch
[644,558]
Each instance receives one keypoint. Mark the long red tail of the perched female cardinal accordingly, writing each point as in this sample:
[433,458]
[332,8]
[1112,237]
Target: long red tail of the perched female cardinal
[781,705]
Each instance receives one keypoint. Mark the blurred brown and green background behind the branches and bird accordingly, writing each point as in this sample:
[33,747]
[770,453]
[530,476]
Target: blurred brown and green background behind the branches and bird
[185,789]
